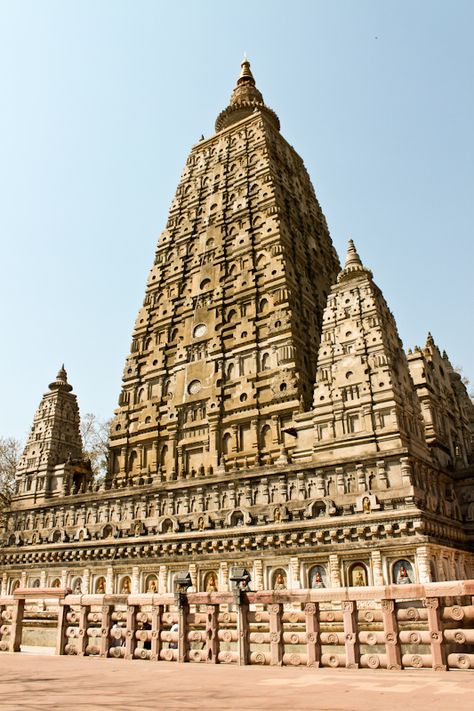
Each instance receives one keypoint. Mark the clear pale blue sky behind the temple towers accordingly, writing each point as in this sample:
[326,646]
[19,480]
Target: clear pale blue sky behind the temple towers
[101,101]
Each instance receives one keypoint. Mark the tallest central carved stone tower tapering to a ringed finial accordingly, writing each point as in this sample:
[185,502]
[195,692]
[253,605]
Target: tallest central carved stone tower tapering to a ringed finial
[224,348]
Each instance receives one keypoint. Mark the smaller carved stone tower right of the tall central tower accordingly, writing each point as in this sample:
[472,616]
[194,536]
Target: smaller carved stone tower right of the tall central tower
[364,397]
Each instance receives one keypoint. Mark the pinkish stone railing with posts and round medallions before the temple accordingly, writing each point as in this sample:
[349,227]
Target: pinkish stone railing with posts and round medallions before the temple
[392,627]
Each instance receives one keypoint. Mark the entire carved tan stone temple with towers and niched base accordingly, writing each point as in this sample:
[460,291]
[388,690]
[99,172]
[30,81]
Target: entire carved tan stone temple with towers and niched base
[268,417]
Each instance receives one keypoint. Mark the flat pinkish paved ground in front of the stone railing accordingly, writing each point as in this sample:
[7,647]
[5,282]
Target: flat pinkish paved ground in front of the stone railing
[36,683]
